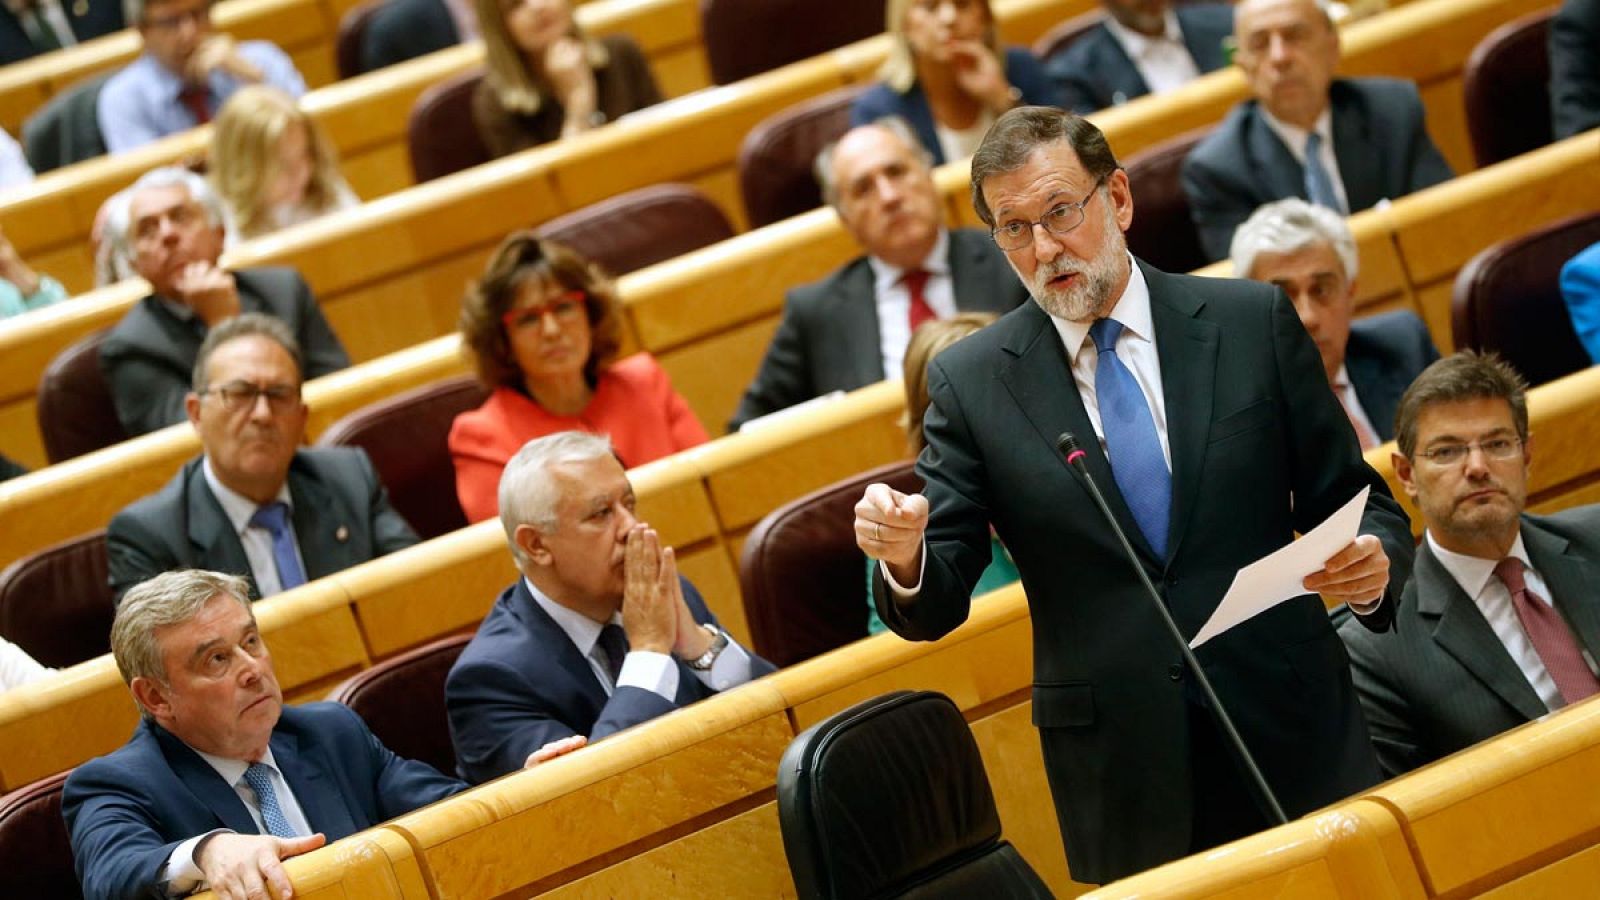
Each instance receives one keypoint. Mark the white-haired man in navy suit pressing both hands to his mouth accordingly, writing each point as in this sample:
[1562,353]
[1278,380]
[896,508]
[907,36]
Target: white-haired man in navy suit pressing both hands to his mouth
[601,633]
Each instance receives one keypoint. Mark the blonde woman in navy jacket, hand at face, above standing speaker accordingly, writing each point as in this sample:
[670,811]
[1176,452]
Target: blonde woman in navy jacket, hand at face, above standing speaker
[950,76]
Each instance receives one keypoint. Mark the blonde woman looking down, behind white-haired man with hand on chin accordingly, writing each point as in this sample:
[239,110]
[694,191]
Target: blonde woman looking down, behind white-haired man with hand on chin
[273,164]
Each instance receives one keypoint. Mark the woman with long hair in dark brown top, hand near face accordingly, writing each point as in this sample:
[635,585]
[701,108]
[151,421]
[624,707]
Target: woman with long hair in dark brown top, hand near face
[548,81]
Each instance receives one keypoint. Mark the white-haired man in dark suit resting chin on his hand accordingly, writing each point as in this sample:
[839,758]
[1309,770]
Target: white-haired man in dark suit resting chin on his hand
[174,230]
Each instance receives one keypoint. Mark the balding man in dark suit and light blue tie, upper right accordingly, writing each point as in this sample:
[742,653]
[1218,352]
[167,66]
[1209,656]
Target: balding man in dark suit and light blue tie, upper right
[1340,143]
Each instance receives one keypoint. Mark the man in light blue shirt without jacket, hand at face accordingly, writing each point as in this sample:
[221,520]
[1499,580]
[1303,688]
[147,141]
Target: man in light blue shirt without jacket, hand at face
[185,74]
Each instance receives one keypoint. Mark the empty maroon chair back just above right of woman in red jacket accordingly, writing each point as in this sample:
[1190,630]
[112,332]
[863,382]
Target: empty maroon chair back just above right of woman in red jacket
[641,228]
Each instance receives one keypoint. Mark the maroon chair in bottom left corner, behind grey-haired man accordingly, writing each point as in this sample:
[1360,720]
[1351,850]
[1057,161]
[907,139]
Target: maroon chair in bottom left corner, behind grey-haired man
[36,856]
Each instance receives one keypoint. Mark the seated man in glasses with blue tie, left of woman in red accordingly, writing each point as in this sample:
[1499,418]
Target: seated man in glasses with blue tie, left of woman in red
[257,504]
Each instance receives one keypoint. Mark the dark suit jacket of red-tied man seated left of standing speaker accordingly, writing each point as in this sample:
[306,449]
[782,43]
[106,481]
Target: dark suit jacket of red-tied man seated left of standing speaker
[830,335]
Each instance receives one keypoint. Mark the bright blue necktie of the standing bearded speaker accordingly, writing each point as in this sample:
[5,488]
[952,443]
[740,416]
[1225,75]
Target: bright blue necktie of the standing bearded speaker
[1130,440]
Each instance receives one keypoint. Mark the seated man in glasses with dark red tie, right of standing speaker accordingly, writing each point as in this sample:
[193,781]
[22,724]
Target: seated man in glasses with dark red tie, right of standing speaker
[1500,622]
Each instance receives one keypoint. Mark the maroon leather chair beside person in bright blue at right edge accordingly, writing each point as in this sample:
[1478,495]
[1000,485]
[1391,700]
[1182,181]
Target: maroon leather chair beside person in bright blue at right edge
[1510,300]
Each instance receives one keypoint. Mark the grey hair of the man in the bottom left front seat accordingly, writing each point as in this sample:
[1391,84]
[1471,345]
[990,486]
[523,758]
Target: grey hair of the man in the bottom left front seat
[166,601]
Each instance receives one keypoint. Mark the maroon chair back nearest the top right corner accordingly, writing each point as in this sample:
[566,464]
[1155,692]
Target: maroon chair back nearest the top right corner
[1506,90]
